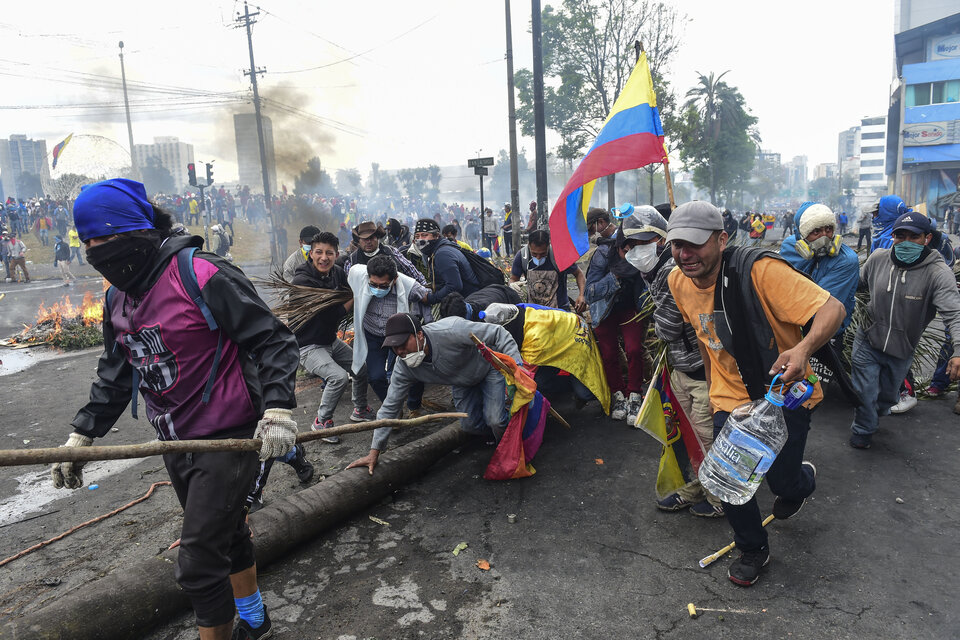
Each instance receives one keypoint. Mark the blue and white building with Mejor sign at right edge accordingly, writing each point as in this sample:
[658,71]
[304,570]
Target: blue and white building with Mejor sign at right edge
[927,42]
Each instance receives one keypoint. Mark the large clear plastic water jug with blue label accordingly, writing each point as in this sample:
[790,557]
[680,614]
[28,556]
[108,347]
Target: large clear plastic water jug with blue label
[746,448]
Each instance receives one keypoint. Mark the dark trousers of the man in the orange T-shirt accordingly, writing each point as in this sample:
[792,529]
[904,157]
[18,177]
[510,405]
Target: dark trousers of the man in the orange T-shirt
[786,478]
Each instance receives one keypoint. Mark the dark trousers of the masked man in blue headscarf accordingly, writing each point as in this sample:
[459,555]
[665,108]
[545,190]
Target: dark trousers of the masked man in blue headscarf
[215,540]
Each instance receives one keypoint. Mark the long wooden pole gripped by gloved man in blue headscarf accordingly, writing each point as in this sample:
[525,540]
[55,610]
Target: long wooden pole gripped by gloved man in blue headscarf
[14,457]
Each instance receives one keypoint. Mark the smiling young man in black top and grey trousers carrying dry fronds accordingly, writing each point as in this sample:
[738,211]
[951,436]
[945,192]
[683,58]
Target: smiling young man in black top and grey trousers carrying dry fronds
[322,353]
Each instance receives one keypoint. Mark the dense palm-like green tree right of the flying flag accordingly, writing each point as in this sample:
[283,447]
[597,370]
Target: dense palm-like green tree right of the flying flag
[718,136]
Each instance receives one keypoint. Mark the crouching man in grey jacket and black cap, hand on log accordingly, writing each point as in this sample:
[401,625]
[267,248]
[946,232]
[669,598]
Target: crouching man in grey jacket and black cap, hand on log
[443,353]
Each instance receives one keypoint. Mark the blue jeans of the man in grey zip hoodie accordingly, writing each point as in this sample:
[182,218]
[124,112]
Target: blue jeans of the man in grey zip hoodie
[876,377]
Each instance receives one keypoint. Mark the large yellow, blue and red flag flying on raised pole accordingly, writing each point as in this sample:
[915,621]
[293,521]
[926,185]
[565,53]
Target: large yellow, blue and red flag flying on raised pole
[632,137]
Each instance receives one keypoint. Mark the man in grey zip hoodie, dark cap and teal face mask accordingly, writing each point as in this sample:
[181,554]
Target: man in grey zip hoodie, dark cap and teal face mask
[909,283]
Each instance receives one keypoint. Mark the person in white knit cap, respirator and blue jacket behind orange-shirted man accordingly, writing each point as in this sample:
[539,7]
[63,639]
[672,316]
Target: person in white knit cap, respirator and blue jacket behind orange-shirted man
[827,260]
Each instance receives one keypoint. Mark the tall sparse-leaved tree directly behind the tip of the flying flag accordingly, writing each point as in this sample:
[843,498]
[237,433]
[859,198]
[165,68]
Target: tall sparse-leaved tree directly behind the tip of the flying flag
[588,52]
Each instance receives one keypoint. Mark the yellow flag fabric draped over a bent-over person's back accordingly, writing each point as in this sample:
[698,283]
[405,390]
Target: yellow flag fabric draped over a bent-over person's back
[562,339]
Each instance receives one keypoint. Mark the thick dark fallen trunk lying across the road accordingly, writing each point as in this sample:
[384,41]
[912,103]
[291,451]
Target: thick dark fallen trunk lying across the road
[128,602]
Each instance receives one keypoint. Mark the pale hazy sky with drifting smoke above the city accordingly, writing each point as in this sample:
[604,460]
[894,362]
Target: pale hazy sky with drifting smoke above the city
[403,83]
